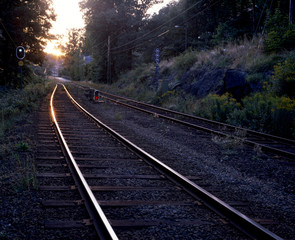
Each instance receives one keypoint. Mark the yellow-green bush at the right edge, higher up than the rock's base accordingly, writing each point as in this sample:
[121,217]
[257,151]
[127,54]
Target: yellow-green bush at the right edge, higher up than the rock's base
[284,77]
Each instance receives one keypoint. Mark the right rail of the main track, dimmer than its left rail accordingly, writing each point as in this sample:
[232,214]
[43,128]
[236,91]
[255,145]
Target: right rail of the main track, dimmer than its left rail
[236,218]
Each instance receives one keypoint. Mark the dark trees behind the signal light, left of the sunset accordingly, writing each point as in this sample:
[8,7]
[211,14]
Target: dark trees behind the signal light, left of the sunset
[22,23]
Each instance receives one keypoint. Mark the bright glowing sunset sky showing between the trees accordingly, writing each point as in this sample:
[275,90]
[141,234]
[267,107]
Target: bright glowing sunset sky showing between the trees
[69,16]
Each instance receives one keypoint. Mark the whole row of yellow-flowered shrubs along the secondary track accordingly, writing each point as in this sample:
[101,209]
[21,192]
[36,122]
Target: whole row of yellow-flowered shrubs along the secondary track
[262,111]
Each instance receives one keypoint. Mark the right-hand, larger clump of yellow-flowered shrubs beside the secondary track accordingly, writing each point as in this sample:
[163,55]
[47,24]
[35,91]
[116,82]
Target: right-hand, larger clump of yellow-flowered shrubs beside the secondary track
[266,113]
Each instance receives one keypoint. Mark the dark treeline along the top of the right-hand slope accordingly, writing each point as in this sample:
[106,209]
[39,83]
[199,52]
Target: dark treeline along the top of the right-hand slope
[121,30]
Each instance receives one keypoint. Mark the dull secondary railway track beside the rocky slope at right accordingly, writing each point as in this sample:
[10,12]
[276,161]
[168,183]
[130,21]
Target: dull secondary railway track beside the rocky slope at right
[268,143]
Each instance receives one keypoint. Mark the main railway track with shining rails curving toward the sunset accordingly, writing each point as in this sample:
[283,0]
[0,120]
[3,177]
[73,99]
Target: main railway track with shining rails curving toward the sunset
[130,194]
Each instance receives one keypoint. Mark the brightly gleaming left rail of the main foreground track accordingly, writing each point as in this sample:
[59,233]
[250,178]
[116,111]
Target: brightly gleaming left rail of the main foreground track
[101,223]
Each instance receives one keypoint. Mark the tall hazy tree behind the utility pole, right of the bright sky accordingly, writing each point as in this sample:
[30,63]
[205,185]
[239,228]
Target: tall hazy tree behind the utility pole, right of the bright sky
[122,20]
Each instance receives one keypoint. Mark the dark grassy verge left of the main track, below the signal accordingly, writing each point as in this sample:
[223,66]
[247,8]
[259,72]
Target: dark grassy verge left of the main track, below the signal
[15,143]
